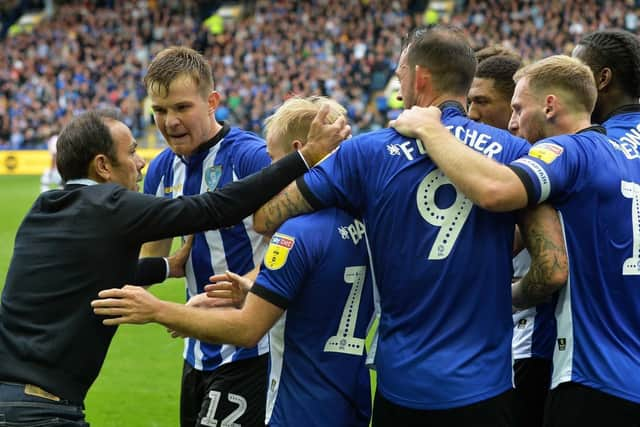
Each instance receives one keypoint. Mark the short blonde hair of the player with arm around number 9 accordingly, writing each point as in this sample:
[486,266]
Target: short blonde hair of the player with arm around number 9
[572,79]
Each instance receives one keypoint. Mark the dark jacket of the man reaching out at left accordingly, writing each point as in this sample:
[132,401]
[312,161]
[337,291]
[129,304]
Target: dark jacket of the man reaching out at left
[80,240]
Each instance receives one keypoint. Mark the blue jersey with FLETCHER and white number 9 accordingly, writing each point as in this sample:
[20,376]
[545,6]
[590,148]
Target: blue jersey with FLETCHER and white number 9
[442,265]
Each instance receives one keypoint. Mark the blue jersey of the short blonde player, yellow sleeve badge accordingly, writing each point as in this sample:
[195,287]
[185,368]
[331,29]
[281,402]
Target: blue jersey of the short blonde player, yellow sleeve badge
[318,266]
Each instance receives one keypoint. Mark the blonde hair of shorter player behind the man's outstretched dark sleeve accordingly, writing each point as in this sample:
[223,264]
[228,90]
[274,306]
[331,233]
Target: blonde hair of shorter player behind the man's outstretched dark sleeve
[292,120]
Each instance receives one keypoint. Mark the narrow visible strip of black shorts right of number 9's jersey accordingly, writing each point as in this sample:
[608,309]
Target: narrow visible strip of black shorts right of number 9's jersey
[532,378]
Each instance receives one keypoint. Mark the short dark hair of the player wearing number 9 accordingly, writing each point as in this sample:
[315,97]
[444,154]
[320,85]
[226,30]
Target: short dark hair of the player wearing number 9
[445,51]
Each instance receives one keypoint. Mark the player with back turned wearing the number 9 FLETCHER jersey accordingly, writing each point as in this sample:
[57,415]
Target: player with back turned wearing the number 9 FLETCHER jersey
[444,350]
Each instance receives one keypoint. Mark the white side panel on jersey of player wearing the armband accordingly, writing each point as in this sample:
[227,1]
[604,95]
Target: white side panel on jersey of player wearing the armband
[563,350]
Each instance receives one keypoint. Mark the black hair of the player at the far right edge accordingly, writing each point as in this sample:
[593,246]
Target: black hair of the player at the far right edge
[618,50]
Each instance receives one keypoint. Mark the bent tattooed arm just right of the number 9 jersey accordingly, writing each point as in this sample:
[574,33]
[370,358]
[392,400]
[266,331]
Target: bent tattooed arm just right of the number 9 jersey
[542,235]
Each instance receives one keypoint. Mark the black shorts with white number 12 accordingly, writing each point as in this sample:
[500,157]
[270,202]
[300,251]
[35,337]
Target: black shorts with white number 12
[235,392]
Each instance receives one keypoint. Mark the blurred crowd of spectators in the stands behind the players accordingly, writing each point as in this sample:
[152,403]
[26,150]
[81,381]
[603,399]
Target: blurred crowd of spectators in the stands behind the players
[93,53]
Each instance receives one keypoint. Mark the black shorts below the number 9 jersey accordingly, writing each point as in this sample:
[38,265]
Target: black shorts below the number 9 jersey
[493,412]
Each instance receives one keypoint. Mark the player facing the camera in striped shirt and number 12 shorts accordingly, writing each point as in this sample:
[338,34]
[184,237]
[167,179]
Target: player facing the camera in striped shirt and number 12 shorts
[203,155]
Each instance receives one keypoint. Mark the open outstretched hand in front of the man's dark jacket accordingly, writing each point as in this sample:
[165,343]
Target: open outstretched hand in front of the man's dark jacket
[131,304]
